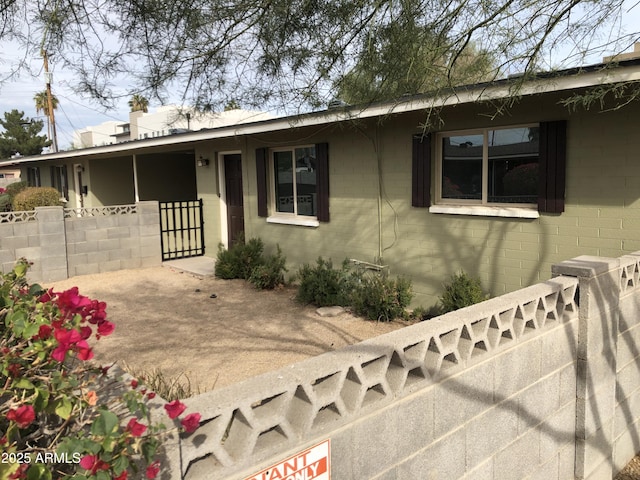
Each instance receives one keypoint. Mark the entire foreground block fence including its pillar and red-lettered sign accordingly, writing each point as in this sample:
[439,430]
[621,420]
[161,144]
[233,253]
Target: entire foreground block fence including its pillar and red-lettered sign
[541,383]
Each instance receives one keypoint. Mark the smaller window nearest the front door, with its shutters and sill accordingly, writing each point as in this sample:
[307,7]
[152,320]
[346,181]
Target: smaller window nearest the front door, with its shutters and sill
[293,184]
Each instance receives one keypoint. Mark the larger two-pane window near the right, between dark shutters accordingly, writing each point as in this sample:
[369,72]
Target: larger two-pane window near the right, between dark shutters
[489,166]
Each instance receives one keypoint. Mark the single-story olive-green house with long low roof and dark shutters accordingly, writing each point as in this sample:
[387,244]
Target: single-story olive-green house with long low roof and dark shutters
[501,195]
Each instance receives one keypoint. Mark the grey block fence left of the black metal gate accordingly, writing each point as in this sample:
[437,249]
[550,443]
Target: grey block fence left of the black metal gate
[63,243]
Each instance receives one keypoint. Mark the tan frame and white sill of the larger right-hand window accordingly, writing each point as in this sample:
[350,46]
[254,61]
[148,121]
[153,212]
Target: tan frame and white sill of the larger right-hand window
[489,208]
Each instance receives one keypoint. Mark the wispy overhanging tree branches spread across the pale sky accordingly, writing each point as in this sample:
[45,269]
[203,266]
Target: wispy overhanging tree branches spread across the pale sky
[291,53]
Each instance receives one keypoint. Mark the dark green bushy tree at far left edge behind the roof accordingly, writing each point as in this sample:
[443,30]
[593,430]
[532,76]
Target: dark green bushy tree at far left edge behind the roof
[20,135]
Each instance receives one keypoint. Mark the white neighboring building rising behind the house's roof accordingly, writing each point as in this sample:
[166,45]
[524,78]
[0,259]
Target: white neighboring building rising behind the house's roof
[166,120]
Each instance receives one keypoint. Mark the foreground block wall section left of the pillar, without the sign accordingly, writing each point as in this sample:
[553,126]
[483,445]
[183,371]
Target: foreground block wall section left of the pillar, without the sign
[484,392]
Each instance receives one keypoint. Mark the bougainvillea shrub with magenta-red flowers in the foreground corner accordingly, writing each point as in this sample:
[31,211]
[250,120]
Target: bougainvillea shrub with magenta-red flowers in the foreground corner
[54,402]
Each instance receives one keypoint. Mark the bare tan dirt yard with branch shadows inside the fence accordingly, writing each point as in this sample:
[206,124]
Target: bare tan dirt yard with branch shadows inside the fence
[216,332]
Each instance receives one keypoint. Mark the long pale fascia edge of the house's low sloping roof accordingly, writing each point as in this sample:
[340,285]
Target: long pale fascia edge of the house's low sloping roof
[548,82]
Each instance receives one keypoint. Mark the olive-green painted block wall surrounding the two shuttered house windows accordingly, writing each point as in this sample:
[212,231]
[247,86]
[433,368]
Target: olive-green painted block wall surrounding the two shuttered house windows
[602,214]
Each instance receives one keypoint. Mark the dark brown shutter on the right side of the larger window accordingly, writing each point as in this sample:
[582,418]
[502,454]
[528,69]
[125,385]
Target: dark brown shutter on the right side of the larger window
[553,156]
